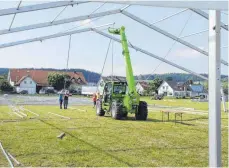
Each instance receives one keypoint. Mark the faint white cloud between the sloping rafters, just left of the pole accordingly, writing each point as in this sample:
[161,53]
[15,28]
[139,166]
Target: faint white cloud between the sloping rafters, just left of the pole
[187,52]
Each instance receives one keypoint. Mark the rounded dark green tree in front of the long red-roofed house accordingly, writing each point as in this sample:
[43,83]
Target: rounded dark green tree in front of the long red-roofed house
[58,80]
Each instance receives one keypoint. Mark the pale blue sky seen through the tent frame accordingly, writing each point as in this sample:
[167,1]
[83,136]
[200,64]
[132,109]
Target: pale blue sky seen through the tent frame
[88,50]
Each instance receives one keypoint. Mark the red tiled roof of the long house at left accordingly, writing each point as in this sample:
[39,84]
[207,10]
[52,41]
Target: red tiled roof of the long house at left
[40,76]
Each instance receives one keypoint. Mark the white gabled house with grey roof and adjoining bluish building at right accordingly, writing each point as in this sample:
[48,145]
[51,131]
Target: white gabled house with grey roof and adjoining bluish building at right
[180,89]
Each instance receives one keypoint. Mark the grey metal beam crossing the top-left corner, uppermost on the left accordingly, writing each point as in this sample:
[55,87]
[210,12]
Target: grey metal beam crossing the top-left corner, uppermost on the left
[30,8]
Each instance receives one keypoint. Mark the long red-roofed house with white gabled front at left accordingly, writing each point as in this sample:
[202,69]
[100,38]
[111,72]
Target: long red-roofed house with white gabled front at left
[21,79]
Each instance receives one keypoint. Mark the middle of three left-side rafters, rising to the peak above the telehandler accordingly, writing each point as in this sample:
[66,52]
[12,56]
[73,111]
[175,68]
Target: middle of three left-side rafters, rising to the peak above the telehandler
[58,22]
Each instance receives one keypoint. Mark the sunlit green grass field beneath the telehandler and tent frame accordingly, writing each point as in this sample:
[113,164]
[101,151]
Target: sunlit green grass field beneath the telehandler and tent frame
[102,141]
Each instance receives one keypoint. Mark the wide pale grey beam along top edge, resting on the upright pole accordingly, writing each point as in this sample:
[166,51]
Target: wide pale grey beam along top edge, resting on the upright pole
[215,5]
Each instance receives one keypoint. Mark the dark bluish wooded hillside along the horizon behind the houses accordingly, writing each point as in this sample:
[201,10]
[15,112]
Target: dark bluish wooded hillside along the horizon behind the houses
[94,77]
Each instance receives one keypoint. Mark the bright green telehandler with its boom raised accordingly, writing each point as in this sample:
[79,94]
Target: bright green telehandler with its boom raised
[120,97]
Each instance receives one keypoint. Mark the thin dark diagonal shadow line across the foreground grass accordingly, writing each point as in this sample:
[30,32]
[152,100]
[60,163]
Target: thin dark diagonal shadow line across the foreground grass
[89,144]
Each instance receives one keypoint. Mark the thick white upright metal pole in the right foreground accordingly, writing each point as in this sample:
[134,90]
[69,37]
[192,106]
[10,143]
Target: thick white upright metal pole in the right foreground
[214,90]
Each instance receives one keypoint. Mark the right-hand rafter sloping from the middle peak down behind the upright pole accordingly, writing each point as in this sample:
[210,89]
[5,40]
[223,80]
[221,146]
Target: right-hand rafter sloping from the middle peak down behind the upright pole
[167,34]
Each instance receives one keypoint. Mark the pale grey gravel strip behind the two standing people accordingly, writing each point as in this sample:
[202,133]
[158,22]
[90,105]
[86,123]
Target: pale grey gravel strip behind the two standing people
[41,100]
